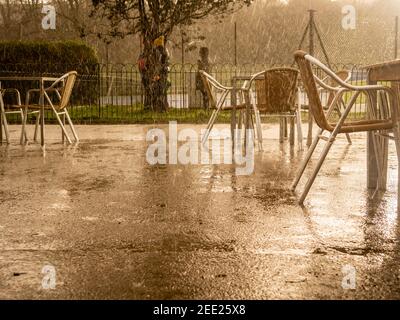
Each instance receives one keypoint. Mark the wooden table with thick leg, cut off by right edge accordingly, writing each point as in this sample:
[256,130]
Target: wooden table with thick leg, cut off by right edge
[389,72]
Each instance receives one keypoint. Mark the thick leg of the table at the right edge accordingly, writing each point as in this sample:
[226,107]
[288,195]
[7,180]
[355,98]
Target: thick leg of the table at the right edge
[372,168]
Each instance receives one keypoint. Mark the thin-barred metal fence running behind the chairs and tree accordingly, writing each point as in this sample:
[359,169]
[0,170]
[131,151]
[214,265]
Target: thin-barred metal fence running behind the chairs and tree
[114,93]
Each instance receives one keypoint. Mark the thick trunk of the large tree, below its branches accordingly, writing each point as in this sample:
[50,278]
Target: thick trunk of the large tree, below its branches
[154,71]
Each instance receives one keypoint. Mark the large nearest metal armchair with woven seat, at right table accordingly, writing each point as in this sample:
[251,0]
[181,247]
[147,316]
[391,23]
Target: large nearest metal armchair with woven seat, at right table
[379,122]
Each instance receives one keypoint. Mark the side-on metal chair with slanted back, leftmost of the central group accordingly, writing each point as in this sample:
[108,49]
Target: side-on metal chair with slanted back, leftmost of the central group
[217,94]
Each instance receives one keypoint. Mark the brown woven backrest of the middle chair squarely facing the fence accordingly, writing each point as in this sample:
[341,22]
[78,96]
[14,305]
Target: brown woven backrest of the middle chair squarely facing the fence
[276,90]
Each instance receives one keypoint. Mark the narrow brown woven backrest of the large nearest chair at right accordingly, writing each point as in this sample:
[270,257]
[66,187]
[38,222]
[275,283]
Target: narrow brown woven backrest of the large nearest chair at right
[310,86]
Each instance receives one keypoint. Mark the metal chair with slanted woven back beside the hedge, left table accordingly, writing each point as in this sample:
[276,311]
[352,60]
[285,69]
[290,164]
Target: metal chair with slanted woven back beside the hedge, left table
[63,93]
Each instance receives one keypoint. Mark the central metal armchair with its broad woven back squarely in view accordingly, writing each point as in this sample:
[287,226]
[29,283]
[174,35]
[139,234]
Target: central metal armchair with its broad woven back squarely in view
[276,95]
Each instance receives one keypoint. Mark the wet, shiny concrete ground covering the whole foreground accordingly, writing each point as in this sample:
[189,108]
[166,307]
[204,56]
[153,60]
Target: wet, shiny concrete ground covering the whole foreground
[114,226]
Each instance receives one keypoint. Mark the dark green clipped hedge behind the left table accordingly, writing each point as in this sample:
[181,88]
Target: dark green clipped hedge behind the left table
[52,58]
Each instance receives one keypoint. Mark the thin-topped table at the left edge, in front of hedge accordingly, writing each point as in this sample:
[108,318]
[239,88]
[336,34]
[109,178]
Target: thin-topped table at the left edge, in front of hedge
[41,80]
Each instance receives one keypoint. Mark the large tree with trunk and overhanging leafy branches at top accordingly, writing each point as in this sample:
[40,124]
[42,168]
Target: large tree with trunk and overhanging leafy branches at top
[155,20]
